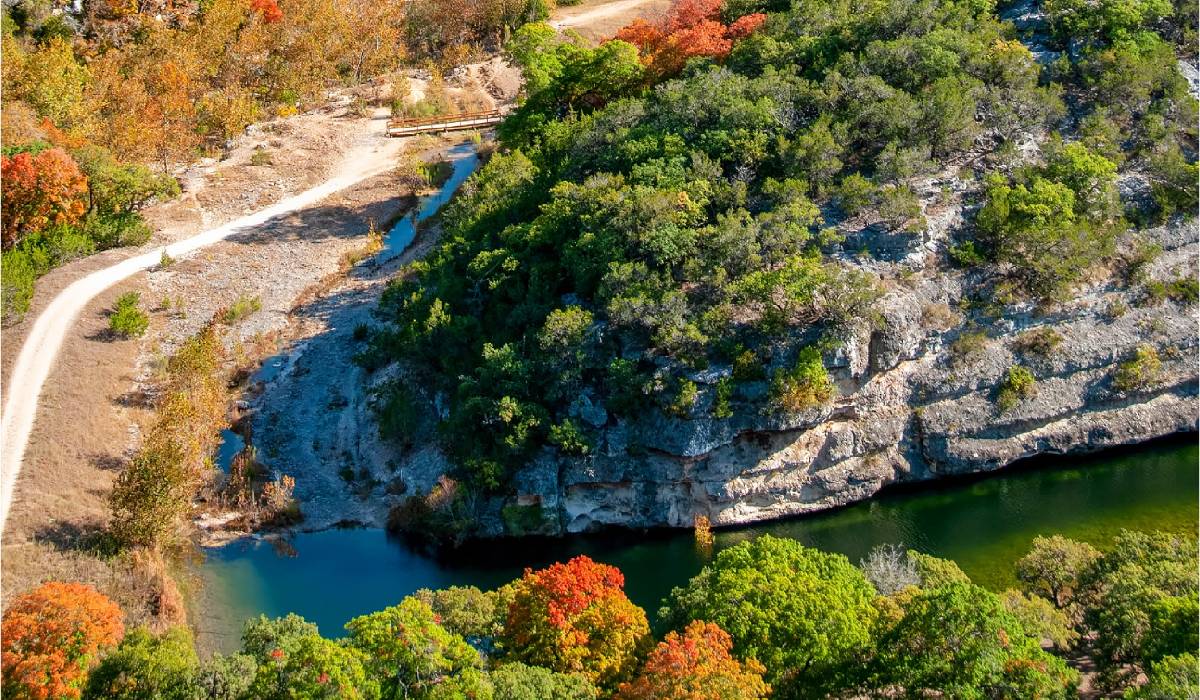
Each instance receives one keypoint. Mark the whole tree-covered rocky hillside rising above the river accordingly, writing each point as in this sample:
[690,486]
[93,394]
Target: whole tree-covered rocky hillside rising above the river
[760,260]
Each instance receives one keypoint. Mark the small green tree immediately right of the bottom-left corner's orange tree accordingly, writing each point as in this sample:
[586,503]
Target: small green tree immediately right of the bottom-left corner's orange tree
[147,667]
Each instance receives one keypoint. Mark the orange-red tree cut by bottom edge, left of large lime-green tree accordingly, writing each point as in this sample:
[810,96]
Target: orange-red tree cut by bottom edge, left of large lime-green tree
[697,666]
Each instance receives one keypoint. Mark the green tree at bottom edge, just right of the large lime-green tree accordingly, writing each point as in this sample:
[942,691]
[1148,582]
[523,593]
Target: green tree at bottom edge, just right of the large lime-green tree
[958,641]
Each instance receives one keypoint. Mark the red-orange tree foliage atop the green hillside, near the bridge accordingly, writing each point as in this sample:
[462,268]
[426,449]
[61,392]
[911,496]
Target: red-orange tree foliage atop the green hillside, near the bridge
[691,29]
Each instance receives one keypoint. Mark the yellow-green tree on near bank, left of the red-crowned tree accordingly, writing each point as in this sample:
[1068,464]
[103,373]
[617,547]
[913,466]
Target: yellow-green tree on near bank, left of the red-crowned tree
[409,651]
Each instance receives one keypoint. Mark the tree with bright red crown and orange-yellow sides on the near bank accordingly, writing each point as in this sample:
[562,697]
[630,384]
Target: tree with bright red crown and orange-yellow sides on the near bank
[575,618]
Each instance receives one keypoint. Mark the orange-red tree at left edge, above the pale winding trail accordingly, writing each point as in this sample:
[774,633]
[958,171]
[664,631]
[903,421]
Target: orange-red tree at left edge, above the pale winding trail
[40,190]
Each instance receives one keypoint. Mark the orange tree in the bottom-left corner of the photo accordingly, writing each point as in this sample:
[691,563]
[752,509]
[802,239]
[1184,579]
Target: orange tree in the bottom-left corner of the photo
[52,637]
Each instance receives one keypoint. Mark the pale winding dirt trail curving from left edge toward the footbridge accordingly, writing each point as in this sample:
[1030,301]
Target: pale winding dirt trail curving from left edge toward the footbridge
[41,349]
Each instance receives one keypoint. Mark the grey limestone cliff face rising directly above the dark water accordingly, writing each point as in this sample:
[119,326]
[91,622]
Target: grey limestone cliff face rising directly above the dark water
[917,402]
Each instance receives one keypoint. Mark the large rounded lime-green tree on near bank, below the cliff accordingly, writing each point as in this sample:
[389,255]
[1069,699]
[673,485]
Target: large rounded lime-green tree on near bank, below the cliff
[806,615]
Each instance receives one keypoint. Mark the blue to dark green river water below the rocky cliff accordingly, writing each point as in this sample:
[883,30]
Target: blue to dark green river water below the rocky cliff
[985,525]
